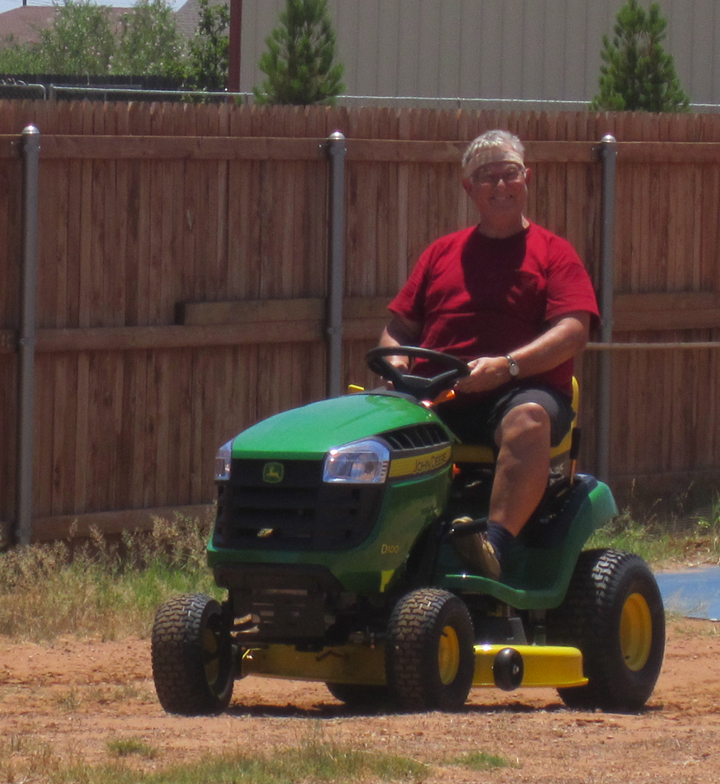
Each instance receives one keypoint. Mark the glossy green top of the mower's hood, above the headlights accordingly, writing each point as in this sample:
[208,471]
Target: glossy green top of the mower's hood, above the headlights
[310,431]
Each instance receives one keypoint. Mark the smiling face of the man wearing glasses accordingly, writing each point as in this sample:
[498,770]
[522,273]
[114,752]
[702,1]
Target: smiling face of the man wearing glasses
[498,189]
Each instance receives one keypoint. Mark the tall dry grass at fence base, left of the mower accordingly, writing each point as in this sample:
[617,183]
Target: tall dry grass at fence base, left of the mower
[104,588]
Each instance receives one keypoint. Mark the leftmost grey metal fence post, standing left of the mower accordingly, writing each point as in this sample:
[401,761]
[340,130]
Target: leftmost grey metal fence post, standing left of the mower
[26,338]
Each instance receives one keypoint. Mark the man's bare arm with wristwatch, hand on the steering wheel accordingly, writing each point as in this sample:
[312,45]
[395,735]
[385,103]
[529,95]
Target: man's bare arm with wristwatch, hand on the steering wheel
[566,337]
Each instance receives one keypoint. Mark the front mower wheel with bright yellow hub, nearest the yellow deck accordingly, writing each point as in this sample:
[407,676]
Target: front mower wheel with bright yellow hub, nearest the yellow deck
[429,651]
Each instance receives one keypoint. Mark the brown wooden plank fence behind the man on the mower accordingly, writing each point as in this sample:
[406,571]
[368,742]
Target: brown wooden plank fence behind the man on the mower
[182,282]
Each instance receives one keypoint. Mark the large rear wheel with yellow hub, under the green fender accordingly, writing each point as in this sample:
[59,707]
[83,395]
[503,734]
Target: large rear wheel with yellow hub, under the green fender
[613,613]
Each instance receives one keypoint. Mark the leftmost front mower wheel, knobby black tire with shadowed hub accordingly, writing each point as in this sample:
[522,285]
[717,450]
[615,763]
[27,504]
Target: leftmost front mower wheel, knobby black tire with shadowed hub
[192,657]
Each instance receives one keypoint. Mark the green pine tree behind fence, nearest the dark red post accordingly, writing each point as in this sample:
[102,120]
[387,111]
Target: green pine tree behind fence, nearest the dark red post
[299,61]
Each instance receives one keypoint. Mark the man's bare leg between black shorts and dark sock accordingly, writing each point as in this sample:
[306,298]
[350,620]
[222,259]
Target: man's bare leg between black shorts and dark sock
[523,466]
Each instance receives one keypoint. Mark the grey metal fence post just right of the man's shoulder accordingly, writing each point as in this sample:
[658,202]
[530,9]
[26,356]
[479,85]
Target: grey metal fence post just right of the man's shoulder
[608,156]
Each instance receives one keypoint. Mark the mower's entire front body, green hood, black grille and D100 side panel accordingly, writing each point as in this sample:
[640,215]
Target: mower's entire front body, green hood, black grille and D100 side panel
[382,521]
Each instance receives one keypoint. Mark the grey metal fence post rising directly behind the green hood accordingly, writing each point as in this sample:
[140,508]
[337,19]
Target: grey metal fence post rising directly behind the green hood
[336,266]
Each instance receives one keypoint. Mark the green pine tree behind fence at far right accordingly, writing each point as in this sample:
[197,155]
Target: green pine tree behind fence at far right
[637,74]
